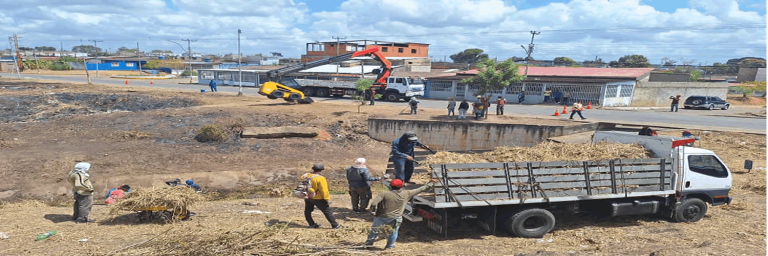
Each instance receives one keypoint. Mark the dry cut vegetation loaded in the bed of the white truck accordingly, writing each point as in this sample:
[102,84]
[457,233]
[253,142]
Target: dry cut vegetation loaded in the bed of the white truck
[547,152]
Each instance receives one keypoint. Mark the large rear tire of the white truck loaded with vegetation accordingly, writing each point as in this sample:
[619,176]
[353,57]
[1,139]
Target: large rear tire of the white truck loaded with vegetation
[531,223]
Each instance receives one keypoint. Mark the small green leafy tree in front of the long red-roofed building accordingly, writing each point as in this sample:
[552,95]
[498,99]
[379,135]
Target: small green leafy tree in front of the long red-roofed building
[494,76]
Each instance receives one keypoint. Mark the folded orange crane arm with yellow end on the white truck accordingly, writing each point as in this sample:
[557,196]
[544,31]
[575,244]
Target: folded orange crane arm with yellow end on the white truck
[289,90]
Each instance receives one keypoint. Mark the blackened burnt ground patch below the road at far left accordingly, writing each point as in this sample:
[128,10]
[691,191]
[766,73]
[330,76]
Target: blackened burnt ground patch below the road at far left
[15,108]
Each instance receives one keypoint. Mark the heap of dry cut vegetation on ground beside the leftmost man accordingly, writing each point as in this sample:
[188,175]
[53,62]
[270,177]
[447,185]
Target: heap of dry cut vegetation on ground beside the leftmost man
[166,198]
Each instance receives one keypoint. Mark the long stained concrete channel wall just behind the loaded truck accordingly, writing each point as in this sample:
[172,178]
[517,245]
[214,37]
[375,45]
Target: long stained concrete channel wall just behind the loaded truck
[463,136]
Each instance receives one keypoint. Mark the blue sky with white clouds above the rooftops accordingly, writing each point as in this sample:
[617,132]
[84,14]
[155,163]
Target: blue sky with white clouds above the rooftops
[700,31]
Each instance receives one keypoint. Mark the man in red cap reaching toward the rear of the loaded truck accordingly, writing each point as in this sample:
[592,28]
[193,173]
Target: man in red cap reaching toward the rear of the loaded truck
[388,207]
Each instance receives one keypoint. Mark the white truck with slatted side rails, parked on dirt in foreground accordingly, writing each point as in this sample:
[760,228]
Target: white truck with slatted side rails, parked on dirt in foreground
[679,182]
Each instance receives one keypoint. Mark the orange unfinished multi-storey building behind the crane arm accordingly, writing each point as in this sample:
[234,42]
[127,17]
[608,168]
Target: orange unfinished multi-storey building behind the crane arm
[321,50]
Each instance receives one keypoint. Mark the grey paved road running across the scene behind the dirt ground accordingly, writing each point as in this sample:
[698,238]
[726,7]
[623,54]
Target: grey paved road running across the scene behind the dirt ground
[692,119]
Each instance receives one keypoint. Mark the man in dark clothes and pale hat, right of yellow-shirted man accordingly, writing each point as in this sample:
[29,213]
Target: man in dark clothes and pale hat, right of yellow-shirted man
[359,179]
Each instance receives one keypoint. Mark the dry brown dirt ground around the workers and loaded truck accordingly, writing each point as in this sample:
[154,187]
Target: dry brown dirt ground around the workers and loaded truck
[146,136]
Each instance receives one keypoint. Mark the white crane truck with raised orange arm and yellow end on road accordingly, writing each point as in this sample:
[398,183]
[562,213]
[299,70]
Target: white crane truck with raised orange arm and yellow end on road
[392,88]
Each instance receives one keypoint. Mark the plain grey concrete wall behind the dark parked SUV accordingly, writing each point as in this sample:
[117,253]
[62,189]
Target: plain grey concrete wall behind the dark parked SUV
[657,93]
